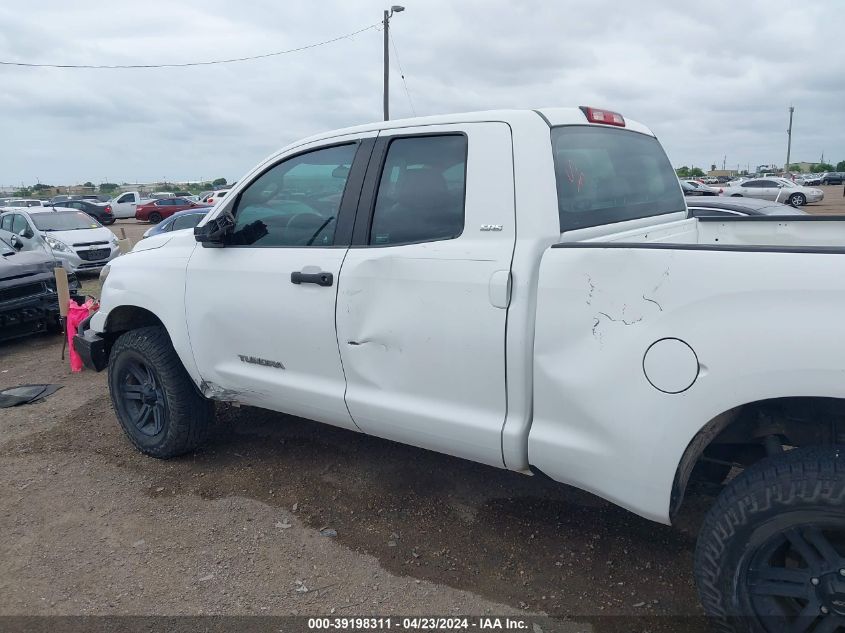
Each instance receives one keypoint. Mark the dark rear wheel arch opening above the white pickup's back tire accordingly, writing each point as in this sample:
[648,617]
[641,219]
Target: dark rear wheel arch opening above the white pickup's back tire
[739,435]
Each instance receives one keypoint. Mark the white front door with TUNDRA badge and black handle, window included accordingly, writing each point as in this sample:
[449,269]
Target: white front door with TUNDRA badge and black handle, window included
[261,309]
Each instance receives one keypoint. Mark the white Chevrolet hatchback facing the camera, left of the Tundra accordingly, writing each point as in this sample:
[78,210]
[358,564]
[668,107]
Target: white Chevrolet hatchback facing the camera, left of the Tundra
[74,238]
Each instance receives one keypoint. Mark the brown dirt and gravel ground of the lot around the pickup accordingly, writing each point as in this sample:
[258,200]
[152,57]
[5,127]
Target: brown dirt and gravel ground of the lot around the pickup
[89,526]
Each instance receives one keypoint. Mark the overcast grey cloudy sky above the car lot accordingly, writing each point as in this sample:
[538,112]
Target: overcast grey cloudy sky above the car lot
[711,80]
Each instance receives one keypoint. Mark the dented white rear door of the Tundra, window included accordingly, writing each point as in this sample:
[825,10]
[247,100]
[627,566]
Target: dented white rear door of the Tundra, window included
[424,290]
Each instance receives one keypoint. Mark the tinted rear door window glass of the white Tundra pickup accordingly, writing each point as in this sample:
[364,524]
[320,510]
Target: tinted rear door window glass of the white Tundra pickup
[421,192]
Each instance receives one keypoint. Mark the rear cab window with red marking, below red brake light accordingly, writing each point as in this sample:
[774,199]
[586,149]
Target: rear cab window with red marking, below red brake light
[607,175]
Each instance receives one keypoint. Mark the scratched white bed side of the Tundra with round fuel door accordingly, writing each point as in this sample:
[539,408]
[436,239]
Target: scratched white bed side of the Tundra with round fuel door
[740,309]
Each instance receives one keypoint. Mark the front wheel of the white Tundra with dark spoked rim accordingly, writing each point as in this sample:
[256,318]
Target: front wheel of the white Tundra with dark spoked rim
[155,401]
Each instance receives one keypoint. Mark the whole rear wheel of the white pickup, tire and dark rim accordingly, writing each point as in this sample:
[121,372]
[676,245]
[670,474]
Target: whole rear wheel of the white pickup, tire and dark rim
[771,552]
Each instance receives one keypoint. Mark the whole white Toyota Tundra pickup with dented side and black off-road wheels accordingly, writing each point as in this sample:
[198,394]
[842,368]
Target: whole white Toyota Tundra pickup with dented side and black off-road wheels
[522,289]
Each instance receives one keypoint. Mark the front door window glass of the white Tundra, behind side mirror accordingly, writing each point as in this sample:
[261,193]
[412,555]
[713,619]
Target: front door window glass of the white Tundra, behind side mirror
[296,202]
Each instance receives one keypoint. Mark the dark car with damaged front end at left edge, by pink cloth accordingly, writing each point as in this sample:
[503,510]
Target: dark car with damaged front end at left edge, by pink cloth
[28,299]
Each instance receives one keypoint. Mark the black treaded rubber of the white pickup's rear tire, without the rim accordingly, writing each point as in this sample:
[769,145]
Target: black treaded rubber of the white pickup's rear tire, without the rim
[801,488]
